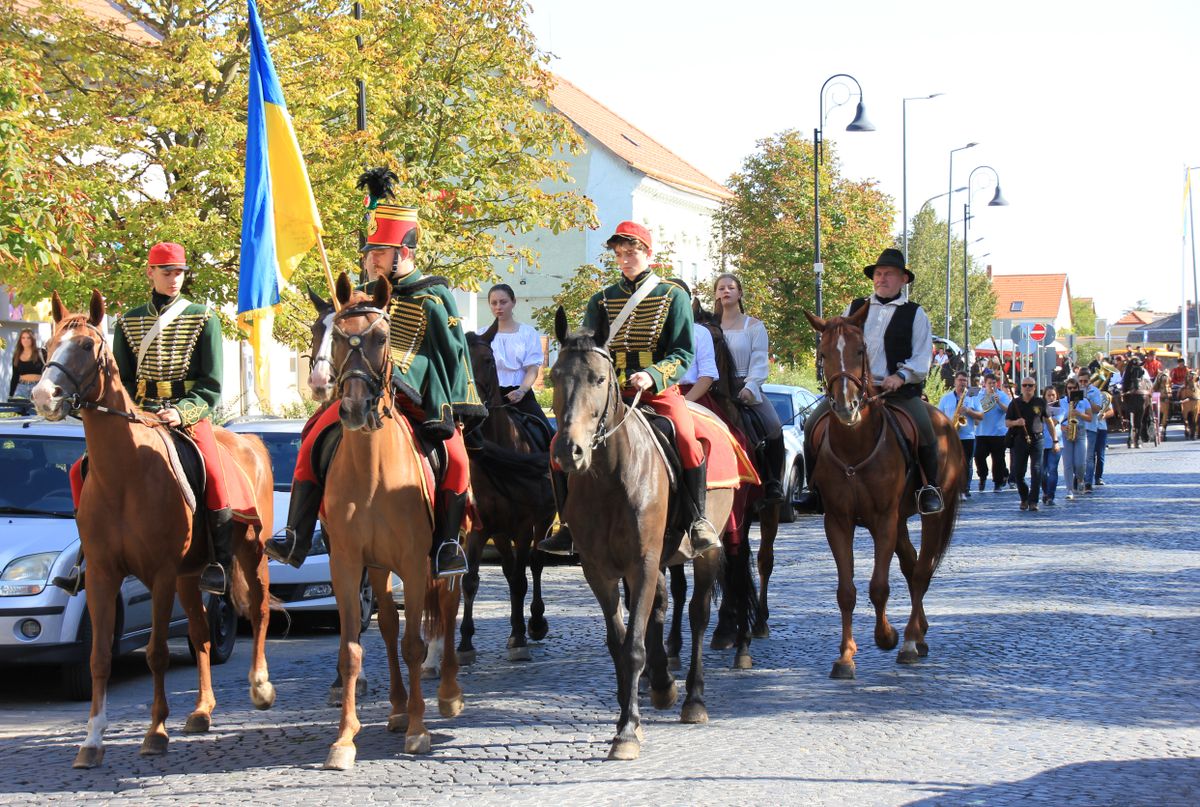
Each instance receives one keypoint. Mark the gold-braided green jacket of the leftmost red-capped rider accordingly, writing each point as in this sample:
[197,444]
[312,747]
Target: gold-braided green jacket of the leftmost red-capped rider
[182,367]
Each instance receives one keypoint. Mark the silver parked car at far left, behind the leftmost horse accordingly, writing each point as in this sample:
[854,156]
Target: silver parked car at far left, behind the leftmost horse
[41,624]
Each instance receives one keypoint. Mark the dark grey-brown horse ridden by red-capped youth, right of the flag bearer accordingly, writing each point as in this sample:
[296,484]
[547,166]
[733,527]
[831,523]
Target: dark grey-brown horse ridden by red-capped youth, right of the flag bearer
[619,507]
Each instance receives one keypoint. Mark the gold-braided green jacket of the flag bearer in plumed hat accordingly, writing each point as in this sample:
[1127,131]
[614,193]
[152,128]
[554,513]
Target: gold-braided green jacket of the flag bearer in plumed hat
[430,356]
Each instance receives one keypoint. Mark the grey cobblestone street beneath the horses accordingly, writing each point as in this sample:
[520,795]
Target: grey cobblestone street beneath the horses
[1064,668]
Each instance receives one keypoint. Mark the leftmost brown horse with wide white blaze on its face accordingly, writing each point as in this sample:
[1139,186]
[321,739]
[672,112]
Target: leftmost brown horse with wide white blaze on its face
[134,519]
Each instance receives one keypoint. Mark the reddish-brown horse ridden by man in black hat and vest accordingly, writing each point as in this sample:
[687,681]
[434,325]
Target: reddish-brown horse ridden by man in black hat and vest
[862,471]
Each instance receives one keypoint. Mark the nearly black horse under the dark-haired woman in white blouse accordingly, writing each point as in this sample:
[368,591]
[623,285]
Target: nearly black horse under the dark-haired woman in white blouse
[515,504]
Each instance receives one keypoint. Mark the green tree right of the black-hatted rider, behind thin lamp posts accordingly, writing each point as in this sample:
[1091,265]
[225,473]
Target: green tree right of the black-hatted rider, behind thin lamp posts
[927,259]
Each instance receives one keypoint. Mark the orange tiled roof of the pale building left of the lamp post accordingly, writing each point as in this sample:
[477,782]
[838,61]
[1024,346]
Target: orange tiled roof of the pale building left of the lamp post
[629,144]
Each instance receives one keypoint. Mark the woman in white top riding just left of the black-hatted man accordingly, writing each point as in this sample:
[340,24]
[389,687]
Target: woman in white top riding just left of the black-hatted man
[747,339]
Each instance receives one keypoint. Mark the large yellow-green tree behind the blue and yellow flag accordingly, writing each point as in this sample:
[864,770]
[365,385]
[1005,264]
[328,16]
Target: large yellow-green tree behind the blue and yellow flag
[151,136]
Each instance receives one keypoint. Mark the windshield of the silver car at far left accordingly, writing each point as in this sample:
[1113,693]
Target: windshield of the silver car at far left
[34,474]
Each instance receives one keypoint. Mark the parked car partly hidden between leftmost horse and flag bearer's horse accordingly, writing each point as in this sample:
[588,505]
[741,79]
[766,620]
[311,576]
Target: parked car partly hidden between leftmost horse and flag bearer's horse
[308,591]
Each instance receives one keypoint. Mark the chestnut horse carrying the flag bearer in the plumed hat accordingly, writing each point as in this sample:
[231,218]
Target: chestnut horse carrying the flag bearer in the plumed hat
[377,515]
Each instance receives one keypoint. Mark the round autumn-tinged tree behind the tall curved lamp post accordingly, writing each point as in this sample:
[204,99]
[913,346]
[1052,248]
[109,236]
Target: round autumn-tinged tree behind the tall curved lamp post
[767,232]
